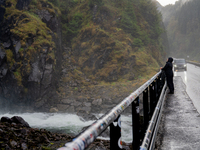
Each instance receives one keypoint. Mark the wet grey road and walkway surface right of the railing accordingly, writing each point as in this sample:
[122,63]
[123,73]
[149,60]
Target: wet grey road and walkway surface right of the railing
[180,123]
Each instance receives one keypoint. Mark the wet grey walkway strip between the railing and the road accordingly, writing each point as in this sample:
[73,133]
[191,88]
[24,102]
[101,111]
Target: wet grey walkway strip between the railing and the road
[180,125]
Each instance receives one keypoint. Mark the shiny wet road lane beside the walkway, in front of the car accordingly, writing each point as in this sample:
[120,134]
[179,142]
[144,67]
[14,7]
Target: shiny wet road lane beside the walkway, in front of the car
[191,78]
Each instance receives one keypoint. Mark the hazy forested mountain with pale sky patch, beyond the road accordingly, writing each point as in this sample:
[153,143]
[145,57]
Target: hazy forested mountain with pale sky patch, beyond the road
[182,23]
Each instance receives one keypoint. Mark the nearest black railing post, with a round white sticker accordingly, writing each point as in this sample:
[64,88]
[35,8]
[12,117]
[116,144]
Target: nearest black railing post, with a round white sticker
[115,134]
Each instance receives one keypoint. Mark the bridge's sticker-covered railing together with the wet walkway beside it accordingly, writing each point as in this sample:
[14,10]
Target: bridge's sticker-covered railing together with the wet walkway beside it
[169,120]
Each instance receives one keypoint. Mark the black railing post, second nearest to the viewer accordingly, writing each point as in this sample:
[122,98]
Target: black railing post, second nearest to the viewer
[135,124]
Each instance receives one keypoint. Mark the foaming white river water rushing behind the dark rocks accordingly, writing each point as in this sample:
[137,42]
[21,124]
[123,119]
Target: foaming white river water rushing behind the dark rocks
[68,123]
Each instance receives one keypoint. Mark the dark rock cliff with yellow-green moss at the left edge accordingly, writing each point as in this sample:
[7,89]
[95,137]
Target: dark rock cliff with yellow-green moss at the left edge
[29,51]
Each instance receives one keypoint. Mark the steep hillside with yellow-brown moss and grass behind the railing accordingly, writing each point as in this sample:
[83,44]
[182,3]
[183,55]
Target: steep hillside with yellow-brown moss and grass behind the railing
[114,42]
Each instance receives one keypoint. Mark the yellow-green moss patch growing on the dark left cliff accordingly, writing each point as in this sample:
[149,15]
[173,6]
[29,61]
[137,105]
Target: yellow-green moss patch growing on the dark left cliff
[33,34]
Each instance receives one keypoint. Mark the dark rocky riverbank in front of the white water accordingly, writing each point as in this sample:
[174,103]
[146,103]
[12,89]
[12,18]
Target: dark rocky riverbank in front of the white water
[15,133]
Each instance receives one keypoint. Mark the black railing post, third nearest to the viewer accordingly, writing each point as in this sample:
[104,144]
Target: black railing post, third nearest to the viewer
[146,108]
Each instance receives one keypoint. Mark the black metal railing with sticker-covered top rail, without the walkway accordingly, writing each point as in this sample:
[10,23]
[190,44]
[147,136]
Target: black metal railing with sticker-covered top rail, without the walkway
[151,91]
